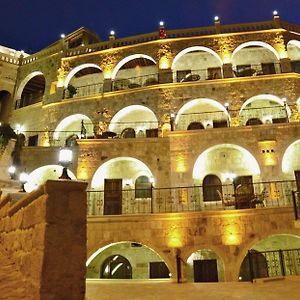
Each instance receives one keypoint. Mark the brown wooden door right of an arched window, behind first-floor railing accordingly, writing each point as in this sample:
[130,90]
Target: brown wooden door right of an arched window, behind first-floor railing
[244,191]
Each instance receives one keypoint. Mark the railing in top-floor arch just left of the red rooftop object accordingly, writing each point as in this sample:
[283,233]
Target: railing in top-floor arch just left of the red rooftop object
[135,82]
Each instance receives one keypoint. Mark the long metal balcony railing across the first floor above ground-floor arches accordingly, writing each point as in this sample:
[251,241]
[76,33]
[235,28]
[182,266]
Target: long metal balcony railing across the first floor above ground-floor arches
[192,198]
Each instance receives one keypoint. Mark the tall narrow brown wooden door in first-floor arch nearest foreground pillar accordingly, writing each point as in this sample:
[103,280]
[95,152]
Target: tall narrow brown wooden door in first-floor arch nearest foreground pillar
[112,196]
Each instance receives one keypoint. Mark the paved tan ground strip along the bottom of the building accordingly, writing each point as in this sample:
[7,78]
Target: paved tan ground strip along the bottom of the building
[284,289]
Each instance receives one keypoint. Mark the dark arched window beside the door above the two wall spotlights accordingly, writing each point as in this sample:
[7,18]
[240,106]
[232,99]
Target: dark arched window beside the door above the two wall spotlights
[212,188]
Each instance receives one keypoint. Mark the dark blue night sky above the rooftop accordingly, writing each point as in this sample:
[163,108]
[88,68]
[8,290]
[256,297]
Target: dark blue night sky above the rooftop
[31,25]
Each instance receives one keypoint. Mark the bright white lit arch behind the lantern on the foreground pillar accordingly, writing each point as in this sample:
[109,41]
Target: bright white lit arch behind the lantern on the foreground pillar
[40,175]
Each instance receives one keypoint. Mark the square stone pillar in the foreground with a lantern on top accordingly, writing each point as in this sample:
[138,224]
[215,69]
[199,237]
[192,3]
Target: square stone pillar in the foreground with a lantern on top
[63,268]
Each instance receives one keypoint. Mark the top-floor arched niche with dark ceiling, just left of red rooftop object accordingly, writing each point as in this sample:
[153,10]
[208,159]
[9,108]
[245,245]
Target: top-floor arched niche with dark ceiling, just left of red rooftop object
[135,71]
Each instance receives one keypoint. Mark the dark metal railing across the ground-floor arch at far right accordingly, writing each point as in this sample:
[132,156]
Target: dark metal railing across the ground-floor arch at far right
[273,263]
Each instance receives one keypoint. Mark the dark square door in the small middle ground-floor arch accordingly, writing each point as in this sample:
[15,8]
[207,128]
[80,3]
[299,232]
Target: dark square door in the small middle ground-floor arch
[205,270]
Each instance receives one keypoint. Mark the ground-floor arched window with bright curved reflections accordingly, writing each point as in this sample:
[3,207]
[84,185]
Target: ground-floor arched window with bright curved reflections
[116,267]
